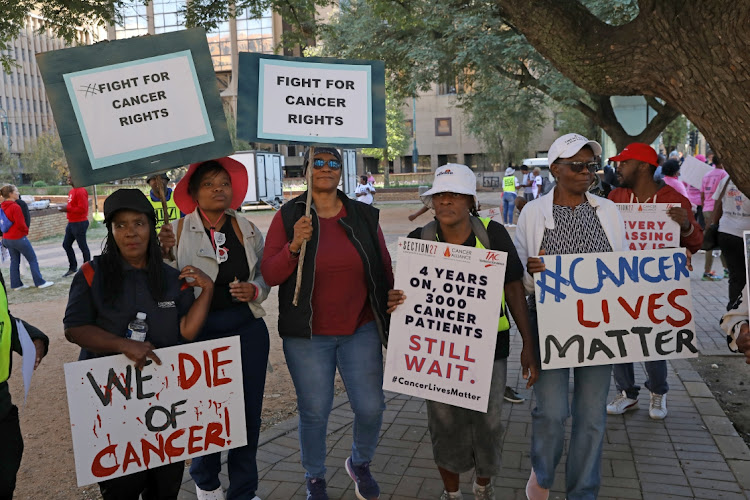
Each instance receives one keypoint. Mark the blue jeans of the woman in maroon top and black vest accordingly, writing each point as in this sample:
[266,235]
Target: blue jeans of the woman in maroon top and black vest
[312,364]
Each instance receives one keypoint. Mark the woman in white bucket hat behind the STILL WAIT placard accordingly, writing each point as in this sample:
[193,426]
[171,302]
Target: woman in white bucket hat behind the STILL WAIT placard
[463,439]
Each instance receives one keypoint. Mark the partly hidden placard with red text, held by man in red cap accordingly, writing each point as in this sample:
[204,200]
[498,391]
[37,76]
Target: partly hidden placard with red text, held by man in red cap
[647,226]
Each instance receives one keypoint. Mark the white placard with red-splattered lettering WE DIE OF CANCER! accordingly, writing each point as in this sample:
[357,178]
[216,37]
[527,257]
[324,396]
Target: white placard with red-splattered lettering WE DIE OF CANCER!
[124,420]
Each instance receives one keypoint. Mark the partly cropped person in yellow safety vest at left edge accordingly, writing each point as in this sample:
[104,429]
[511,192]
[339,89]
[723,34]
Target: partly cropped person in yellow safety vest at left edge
[11,449]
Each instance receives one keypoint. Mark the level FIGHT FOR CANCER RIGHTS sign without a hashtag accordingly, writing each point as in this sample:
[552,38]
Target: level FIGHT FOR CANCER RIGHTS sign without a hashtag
[311,101]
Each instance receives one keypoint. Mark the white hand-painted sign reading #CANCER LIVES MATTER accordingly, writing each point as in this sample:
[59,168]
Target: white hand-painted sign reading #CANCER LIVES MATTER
[619,307]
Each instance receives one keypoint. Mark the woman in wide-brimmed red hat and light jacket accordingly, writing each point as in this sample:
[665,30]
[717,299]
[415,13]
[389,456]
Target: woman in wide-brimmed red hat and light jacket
[215,238]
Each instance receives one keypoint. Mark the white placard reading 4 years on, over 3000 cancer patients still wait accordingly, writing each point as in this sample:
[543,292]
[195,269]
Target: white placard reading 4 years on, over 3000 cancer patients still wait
[442,338]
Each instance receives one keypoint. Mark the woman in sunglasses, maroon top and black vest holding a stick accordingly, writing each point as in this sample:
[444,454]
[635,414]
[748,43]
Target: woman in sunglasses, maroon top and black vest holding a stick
[340,319]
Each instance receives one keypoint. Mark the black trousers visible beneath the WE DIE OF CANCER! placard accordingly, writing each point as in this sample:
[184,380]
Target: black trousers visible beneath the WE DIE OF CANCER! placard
[161,483]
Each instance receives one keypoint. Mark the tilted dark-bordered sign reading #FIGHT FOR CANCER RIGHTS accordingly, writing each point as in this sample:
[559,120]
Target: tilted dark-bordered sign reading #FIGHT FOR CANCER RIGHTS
[135,106]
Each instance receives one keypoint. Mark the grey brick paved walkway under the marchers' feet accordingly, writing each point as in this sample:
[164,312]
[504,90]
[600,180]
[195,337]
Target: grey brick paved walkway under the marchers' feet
[694,453]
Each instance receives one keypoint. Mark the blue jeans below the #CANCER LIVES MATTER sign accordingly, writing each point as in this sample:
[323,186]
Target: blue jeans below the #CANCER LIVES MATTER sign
[583,471]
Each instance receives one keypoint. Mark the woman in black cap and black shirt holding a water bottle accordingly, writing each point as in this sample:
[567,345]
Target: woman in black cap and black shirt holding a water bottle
[128,279]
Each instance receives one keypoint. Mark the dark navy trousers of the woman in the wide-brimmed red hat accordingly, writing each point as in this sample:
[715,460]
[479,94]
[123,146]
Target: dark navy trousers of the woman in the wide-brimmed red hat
[254,345]
